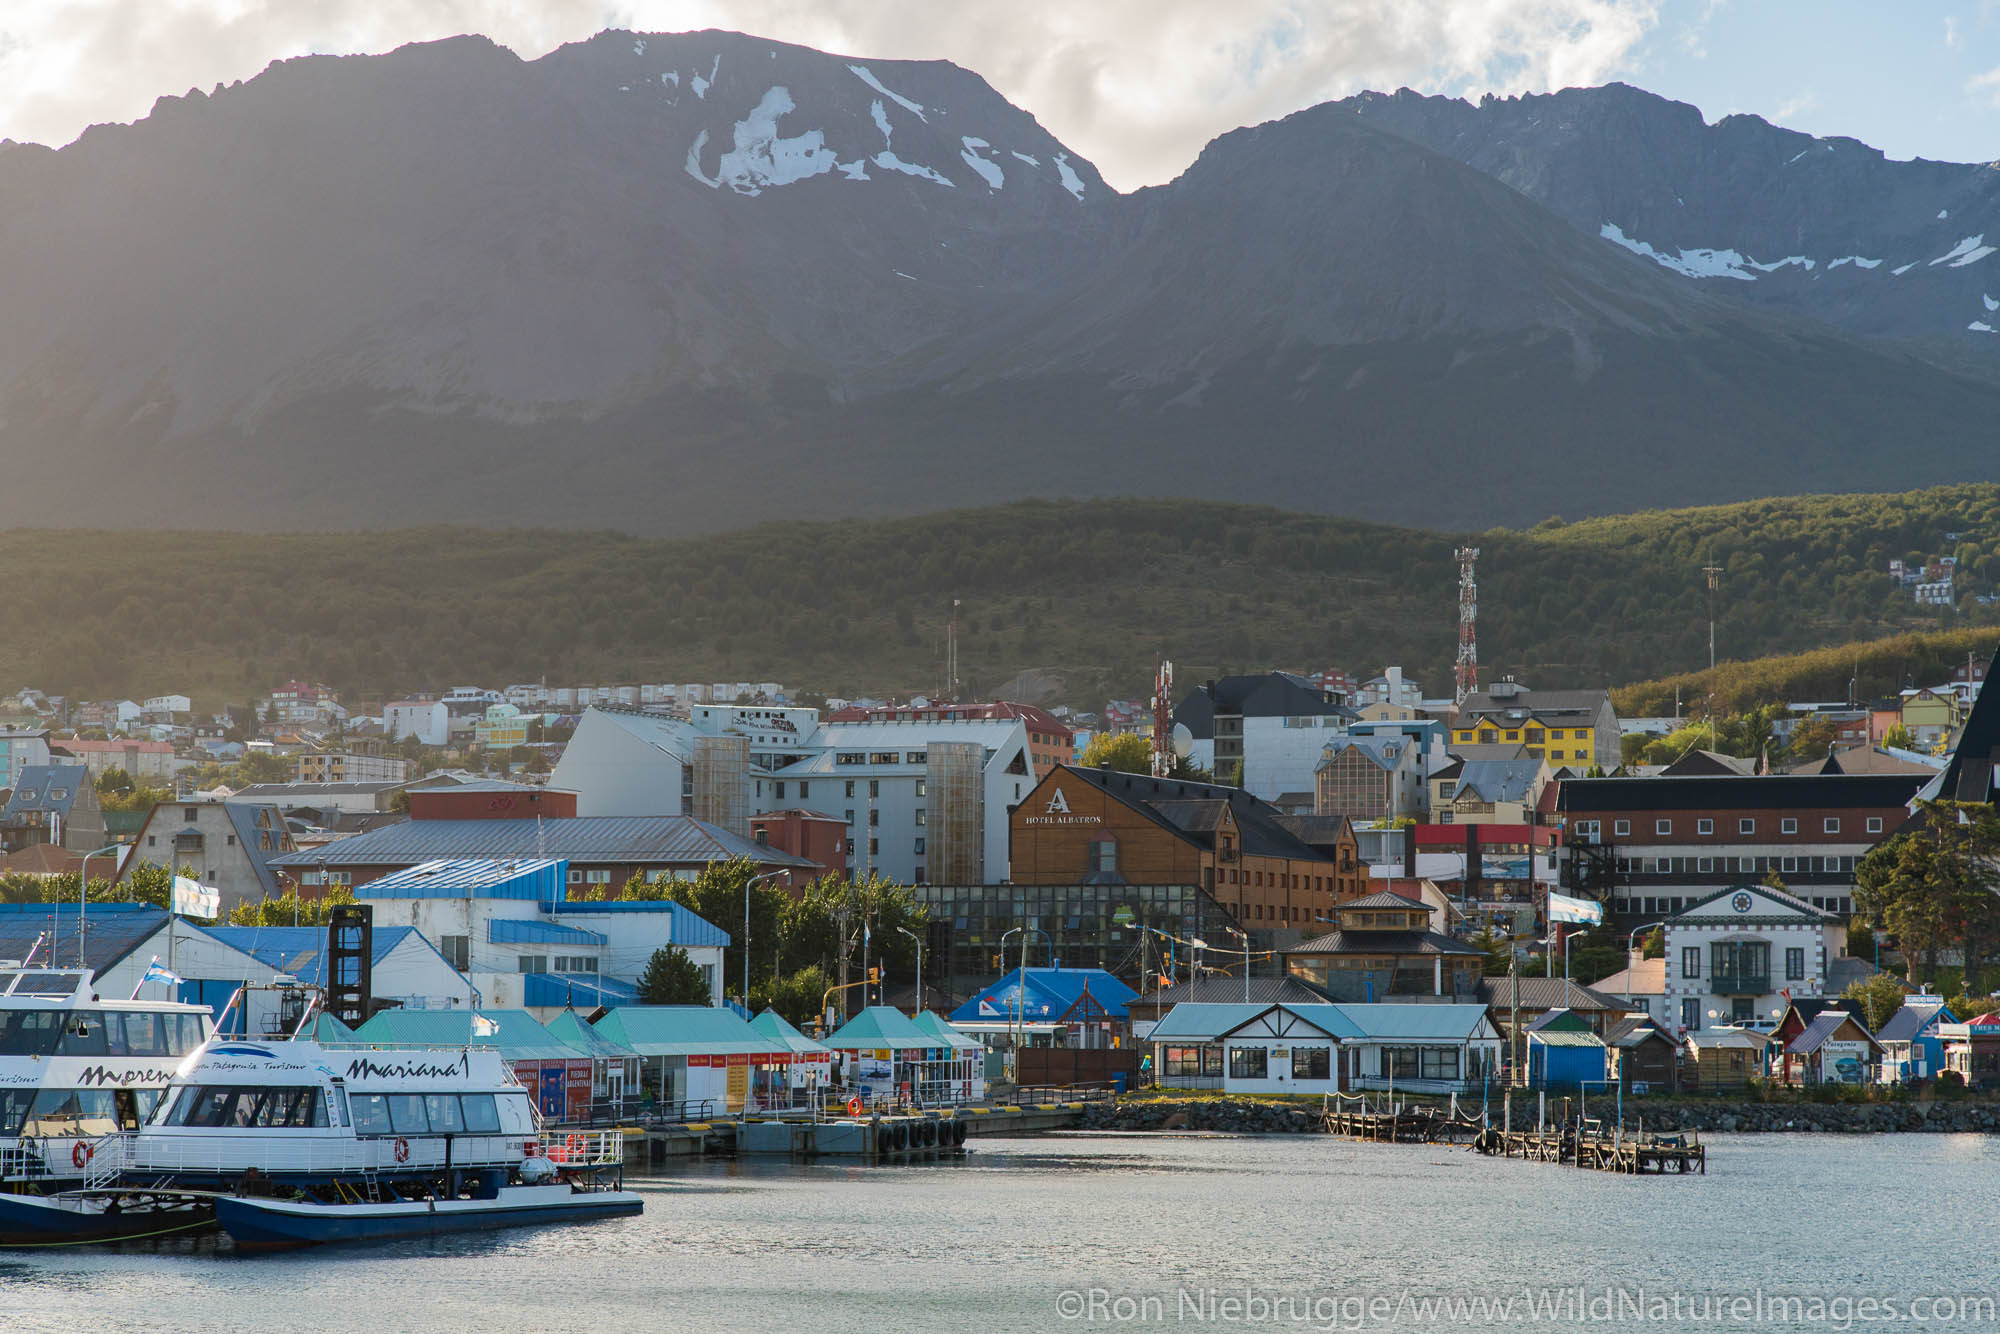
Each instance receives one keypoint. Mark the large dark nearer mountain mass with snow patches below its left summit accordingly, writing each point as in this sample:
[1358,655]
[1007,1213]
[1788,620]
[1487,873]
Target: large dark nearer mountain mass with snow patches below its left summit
[687,283]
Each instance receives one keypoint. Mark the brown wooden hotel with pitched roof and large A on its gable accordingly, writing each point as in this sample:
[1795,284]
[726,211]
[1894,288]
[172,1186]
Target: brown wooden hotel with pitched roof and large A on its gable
[1105,827]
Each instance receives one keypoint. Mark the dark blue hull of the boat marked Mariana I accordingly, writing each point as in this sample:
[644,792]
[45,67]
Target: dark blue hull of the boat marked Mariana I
[267,1225]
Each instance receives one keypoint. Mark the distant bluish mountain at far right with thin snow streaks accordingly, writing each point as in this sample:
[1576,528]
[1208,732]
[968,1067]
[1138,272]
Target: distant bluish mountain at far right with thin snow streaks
[1819,227]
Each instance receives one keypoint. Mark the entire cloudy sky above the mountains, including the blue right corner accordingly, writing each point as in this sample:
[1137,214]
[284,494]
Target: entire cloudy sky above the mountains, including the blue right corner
[1133,85]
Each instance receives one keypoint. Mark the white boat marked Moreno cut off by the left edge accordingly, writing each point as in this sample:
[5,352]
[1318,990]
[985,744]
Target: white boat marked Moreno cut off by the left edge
[77,1077]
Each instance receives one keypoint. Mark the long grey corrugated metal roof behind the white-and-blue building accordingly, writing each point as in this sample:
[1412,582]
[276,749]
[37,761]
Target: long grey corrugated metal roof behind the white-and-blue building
[577,839]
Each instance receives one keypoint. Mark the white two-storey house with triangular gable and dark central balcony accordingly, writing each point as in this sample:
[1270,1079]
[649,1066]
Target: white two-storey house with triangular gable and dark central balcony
[1731,955]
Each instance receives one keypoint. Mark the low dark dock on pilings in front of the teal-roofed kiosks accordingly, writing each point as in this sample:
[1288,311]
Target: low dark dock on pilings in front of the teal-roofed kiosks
[867,1139]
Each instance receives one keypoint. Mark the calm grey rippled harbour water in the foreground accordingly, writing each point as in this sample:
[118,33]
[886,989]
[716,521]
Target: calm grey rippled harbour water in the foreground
[1129,1223]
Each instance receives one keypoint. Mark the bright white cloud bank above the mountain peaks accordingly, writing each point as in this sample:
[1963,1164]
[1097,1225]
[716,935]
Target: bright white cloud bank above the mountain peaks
[1133,85]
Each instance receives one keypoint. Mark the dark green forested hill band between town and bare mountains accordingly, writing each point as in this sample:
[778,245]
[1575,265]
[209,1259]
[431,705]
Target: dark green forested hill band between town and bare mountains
[1083,595]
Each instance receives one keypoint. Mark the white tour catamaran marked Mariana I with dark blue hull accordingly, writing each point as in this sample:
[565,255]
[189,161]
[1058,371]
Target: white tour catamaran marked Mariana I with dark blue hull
[301,1143]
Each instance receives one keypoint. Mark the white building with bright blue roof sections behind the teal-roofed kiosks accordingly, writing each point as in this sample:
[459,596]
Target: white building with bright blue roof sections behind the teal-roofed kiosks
[519,937]
